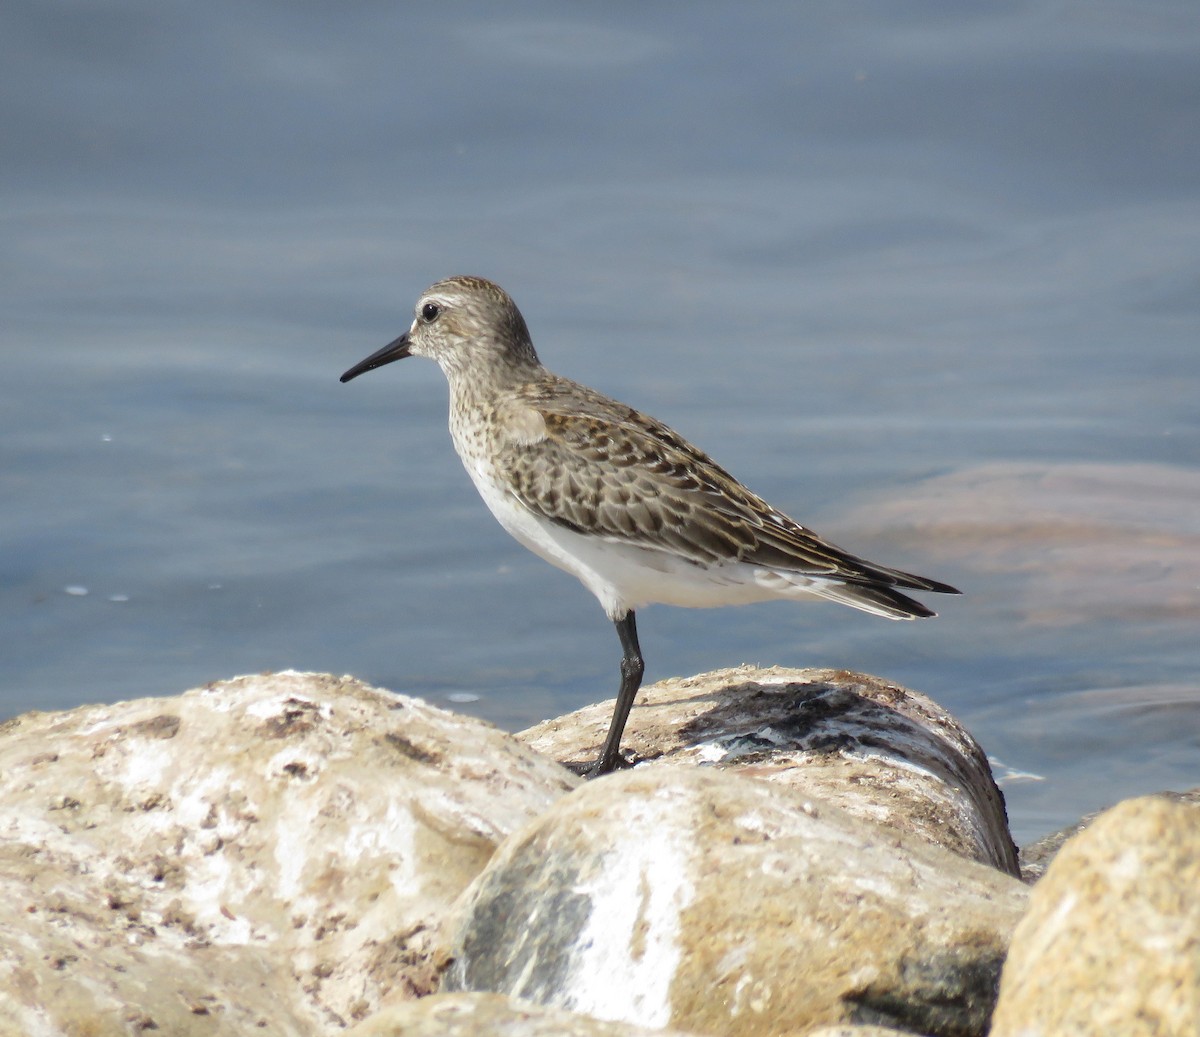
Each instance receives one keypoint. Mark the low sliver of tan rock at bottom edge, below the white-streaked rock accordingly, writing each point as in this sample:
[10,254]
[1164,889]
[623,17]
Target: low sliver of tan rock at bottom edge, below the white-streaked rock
[493,1015]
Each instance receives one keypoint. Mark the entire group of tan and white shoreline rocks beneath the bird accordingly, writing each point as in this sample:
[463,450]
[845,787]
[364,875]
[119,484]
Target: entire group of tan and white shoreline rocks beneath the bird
[802,853]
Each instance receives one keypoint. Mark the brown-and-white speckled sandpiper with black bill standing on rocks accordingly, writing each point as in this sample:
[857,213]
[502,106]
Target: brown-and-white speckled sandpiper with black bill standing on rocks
[611,495]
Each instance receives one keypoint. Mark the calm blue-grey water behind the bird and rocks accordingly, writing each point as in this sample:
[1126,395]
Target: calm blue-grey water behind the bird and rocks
[928,279]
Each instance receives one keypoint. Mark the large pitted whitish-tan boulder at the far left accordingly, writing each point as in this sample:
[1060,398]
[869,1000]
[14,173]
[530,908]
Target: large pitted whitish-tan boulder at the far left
[274,852]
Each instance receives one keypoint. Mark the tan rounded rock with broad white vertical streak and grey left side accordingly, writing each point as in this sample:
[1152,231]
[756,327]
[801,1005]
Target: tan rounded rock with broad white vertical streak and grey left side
[710,902]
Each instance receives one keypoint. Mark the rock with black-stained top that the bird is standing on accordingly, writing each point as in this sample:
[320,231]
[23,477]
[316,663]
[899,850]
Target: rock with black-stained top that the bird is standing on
[875,750]
